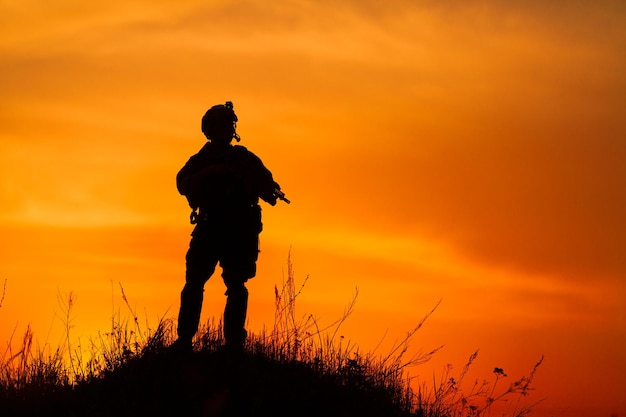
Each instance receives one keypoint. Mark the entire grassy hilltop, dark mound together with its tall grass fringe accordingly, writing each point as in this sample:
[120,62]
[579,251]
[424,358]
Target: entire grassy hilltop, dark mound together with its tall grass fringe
[297,369]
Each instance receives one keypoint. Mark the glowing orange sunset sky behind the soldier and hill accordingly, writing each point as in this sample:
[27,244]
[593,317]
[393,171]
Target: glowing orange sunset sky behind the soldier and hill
[432,150]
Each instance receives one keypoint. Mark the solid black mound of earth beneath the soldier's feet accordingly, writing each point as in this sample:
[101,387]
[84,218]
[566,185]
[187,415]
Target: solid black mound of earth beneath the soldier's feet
[214,383]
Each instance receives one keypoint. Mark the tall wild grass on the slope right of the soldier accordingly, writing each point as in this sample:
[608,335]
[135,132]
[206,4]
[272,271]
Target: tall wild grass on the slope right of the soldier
[303,339]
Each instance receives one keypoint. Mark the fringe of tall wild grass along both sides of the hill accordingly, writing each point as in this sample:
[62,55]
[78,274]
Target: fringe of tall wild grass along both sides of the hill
[297,342]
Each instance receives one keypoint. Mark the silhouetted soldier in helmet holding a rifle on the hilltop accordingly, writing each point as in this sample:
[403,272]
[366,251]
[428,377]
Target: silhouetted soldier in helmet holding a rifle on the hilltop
[222,184]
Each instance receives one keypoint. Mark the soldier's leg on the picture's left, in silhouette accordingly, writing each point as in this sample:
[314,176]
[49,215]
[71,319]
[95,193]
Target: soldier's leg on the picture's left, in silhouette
[200,265]
